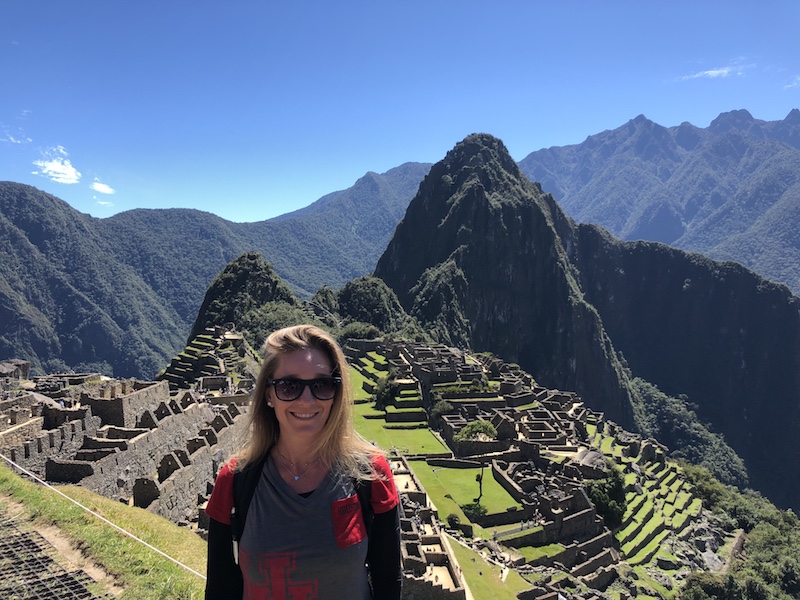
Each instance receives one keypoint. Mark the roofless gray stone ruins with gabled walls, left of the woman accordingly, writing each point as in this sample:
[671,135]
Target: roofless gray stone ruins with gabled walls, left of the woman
[128,440]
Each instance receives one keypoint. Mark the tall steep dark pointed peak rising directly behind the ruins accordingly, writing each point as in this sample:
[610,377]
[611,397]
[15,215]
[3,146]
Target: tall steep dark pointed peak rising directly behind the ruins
[480,242]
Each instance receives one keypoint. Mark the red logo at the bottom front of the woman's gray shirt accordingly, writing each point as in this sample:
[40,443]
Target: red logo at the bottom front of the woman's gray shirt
[277,585]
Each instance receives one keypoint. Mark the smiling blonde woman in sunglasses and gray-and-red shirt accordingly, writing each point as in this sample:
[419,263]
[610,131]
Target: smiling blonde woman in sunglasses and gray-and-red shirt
[308,532]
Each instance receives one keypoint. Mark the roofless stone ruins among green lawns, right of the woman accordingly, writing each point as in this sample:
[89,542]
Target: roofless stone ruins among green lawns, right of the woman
[541,456]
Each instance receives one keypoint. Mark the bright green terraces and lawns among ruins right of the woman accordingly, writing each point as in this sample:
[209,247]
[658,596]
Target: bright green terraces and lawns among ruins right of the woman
[660,505]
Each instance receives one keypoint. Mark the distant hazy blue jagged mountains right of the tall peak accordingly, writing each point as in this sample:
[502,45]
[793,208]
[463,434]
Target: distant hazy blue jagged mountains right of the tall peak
[730,191]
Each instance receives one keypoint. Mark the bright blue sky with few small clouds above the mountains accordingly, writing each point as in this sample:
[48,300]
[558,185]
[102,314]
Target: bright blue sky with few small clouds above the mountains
[250,109]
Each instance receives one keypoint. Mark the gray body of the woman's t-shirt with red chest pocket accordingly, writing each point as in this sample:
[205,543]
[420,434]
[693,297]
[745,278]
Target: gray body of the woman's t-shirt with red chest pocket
[304,548]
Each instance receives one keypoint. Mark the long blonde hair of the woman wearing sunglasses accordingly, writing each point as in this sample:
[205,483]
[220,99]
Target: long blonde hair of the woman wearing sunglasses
[338,444]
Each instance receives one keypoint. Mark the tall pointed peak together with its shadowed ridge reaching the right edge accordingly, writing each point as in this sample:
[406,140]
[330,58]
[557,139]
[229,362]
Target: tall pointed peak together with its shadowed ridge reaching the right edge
[486,259]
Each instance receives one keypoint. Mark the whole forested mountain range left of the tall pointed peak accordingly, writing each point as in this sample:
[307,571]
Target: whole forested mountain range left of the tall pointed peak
[120,295]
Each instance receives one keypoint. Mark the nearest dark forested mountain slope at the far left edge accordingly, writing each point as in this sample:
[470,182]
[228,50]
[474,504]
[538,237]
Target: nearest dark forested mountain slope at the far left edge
[66,301]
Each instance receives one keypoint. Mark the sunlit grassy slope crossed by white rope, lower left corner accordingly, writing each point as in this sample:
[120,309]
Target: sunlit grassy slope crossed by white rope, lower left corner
[143,573]
